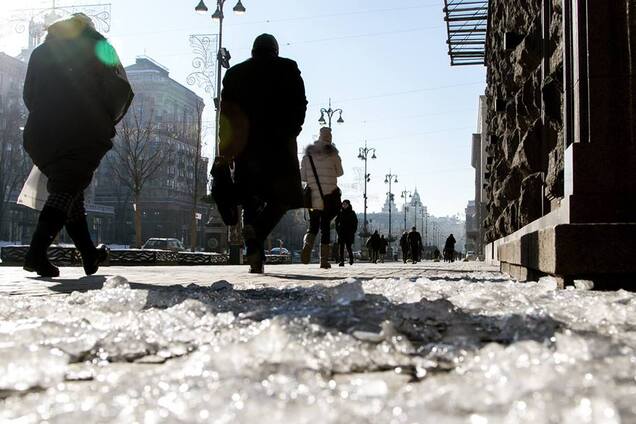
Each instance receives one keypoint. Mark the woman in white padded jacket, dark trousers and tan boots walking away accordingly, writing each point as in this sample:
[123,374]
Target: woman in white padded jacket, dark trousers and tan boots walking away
[328,167]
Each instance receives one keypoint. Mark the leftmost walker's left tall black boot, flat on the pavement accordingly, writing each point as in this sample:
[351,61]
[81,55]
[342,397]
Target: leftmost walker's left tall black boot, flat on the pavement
[50,223]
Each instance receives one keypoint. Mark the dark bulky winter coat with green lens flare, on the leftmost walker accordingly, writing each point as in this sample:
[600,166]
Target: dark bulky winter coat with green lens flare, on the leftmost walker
[70,125]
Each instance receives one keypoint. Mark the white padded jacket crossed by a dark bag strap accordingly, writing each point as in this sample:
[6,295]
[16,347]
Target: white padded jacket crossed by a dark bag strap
[328,167]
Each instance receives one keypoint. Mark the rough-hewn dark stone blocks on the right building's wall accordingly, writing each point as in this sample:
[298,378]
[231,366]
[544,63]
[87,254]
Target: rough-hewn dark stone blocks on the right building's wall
[526,153]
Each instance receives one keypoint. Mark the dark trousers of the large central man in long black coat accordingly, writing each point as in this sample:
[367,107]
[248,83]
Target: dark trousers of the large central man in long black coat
[259,219]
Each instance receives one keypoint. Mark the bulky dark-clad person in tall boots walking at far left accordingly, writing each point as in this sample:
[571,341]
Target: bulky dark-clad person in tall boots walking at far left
[76,91]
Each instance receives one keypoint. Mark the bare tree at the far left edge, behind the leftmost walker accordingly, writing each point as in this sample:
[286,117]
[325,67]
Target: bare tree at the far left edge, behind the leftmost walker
[14,162]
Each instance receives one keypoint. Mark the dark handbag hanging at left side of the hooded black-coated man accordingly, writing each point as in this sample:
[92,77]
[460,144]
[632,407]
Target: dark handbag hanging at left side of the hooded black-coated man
[224,191]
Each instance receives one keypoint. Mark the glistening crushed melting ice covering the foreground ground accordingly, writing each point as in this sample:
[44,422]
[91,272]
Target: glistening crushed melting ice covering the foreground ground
[473,350]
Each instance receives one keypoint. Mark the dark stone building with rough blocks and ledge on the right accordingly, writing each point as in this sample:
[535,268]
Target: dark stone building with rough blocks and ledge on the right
[561,138]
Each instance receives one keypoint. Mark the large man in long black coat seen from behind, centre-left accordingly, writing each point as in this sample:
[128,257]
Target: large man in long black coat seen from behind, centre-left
[263,107]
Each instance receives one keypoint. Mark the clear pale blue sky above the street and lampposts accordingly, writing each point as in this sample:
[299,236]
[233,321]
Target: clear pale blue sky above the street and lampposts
[384,63]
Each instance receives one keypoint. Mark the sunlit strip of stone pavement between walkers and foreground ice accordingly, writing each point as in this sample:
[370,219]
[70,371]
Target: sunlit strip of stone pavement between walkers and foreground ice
[15,281]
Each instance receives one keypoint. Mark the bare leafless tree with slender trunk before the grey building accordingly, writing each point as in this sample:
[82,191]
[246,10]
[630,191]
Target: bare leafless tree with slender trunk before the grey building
[137,156]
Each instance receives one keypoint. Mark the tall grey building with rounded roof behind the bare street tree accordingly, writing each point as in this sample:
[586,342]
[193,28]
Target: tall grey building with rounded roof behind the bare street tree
[171,110]
